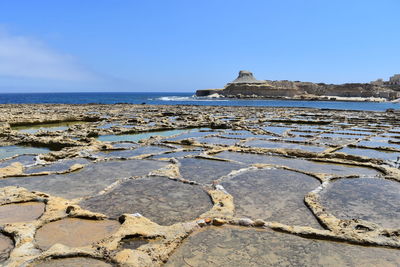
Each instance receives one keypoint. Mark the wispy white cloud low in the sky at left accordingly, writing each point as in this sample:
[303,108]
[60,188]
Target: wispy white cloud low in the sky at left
[24,57]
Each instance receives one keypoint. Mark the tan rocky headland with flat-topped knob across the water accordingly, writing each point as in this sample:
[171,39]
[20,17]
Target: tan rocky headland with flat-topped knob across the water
[247,86]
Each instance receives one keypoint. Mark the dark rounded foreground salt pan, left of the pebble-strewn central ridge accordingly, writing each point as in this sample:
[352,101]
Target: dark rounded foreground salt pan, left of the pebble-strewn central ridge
[160,199]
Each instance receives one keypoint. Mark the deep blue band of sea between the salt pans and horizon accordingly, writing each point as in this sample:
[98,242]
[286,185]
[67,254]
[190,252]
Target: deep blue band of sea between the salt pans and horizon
[180,99]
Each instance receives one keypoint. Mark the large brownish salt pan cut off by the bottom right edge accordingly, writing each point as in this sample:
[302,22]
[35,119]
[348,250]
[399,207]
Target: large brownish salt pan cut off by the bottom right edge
[232,246]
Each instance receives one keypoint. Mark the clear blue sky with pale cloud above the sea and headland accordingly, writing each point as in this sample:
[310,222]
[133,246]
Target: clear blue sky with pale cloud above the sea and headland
[185,45]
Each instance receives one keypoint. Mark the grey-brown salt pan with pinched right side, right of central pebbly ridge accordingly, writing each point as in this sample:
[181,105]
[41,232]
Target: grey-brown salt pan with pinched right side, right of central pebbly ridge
[273,195]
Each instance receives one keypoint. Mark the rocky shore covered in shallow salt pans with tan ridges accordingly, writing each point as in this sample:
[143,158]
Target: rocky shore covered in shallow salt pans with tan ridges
[142,185]
